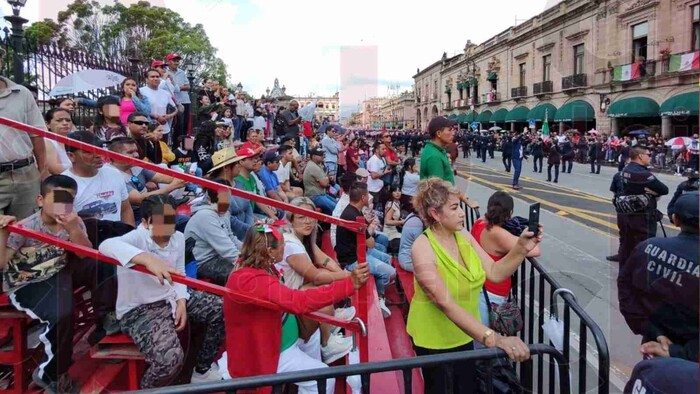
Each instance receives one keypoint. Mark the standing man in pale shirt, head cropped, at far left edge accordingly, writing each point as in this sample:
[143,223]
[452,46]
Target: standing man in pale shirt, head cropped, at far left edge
[22,155]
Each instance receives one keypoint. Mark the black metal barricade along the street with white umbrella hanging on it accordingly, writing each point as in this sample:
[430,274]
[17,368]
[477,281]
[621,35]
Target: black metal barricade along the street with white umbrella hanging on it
[539,294]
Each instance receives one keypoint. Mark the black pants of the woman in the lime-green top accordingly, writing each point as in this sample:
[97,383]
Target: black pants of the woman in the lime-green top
[458,378]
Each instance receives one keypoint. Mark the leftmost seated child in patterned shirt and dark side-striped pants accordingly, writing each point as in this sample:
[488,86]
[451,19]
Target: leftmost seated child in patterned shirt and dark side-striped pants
[40,278]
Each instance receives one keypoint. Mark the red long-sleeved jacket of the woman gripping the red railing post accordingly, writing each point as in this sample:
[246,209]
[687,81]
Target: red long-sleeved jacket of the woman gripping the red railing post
[254,333]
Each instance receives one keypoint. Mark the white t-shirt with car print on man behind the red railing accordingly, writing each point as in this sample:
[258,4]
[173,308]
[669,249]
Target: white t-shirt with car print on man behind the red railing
[100,196]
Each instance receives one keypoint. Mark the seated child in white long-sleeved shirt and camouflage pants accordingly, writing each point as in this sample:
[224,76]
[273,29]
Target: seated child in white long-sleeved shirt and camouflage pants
[152,310]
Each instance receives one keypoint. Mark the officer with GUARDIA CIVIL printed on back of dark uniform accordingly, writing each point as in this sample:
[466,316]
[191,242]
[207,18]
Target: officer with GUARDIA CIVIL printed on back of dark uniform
[659,286]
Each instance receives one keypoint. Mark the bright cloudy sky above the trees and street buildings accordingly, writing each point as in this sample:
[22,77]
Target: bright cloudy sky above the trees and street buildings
[358,48]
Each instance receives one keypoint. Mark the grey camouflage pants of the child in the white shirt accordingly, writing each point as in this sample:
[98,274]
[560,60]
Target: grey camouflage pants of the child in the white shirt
[152,327]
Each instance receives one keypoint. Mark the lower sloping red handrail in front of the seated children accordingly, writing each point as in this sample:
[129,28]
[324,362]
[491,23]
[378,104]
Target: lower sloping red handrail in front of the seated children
[194,283]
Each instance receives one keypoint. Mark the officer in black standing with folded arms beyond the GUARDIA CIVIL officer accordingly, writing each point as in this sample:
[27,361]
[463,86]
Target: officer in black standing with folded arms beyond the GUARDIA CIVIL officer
[636,180]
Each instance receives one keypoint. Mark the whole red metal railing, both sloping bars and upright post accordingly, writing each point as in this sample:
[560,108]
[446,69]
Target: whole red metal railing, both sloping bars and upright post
[358,227]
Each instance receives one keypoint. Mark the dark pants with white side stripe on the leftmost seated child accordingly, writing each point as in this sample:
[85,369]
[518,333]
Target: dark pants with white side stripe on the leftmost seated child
[51,301]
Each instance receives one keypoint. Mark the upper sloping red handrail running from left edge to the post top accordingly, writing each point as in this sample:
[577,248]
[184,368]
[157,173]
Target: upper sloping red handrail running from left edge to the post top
[350,225]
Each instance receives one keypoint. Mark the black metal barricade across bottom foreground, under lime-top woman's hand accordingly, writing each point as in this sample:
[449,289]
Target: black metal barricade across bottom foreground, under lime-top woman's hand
[365,370]
